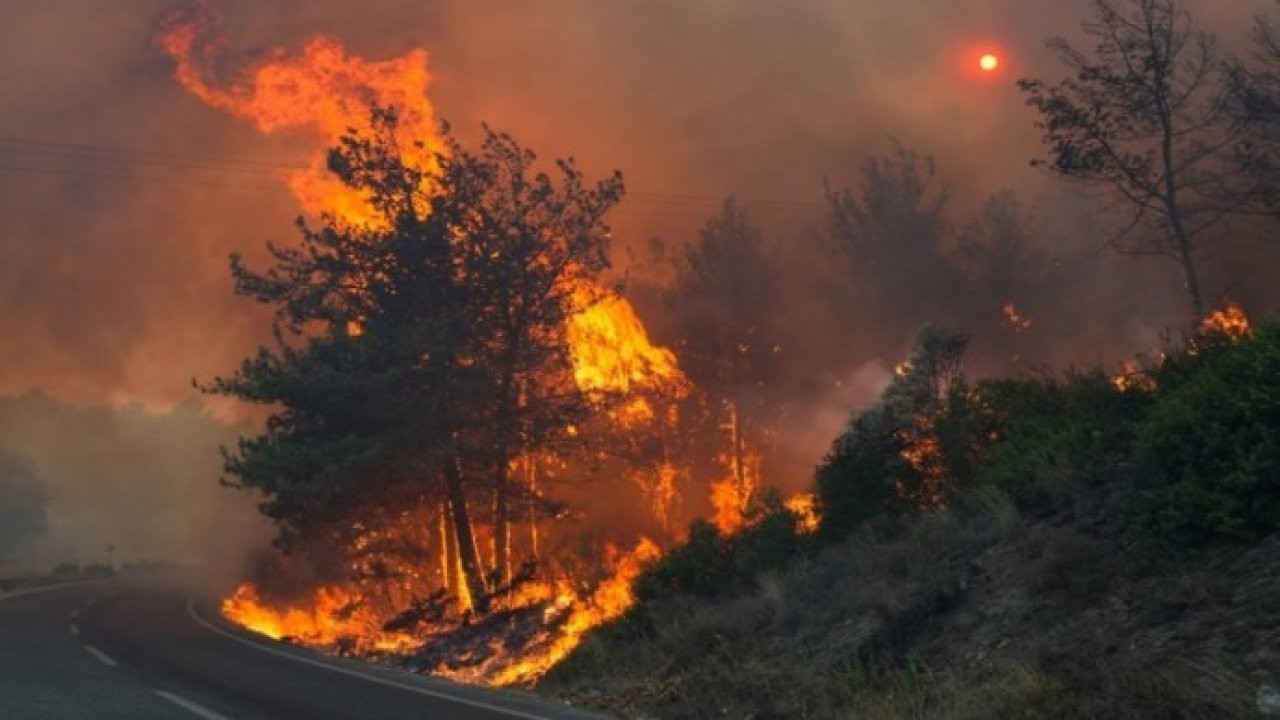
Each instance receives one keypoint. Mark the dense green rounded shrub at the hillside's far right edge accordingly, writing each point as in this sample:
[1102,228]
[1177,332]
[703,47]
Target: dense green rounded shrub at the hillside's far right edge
[1210,449]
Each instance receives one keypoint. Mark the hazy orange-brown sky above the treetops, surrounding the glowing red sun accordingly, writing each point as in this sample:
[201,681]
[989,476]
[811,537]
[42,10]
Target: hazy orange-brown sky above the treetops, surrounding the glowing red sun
[113,279]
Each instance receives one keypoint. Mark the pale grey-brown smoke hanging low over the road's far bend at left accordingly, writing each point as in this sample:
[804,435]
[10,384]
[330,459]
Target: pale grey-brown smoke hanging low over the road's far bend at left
[144,484]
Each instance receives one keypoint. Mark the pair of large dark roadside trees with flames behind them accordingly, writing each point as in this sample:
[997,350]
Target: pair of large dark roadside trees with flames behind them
[427,350]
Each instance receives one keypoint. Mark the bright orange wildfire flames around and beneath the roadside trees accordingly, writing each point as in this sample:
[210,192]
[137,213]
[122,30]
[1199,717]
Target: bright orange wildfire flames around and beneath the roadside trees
[412,586]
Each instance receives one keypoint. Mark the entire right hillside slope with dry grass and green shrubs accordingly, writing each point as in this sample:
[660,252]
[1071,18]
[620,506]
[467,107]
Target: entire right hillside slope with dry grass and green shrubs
[1113,554]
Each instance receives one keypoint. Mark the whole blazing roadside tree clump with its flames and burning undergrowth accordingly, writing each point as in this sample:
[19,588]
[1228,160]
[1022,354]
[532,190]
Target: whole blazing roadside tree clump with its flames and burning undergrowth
[474,438]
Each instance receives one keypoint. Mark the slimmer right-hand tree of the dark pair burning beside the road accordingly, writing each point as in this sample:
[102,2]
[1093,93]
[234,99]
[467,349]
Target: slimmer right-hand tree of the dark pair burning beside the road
[533,250]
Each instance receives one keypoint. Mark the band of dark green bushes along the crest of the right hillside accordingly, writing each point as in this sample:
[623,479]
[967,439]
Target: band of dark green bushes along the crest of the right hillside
[1190,450]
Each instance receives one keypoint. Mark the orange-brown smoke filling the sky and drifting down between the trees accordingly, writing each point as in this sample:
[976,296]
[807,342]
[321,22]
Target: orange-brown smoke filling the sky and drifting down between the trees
[121,195]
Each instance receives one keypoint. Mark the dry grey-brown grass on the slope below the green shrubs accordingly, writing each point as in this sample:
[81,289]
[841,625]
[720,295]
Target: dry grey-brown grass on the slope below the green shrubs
[892,626]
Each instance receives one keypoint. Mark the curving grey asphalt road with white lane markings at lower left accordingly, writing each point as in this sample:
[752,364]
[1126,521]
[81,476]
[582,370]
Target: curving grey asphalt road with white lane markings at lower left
[149,650]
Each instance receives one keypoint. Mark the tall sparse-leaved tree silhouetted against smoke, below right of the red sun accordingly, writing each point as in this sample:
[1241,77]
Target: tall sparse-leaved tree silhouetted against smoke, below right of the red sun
[1144,119]
